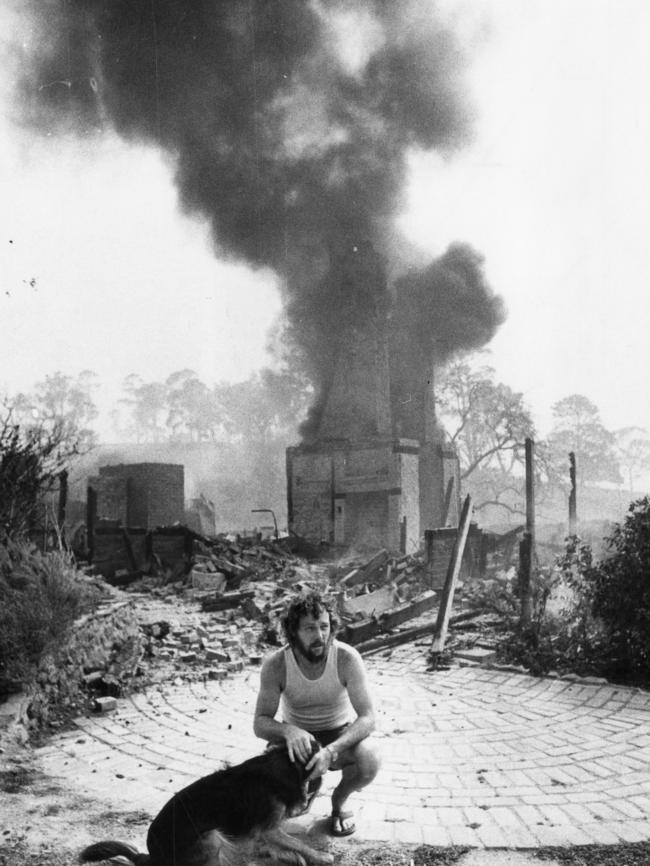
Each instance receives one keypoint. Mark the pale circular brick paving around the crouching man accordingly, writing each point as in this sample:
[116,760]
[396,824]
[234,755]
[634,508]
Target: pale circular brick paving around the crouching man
[471,755]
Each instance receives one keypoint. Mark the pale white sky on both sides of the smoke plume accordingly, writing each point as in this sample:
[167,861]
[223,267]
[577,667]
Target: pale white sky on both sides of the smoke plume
[554,192]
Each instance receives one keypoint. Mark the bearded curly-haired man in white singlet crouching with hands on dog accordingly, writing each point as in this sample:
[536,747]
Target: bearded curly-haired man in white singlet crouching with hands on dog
[320,685]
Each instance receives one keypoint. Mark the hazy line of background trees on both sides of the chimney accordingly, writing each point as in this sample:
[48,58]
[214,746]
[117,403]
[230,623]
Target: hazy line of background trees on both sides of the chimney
[486,421]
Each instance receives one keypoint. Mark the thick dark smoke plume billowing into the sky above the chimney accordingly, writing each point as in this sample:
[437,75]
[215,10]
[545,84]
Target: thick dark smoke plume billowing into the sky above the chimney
[288,123]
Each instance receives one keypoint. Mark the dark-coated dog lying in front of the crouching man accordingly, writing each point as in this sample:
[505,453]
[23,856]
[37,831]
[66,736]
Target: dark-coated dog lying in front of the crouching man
[225,818]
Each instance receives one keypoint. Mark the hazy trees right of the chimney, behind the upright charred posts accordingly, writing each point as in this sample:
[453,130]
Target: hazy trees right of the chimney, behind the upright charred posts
[488,423]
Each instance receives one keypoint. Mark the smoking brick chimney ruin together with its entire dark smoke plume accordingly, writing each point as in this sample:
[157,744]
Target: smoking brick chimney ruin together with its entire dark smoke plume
[289,125]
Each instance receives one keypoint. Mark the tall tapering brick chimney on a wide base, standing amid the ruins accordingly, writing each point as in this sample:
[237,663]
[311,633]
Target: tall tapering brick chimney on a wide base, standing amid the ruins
[375,474]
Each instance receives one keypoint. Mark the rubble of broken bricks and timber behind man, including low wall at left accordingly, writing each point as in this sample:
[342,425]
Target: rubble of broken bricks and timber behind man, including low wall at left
[221,614]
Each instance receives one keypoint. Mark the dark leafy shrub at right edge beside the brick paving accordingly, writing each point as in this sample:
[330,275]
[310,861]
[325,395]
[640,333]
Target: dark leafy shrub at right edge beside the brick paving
[593,617]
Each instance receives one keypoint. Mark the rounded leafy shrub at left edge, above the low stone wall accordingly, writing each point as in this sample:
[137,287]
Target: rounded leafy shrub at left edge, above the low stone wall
[40,597]
